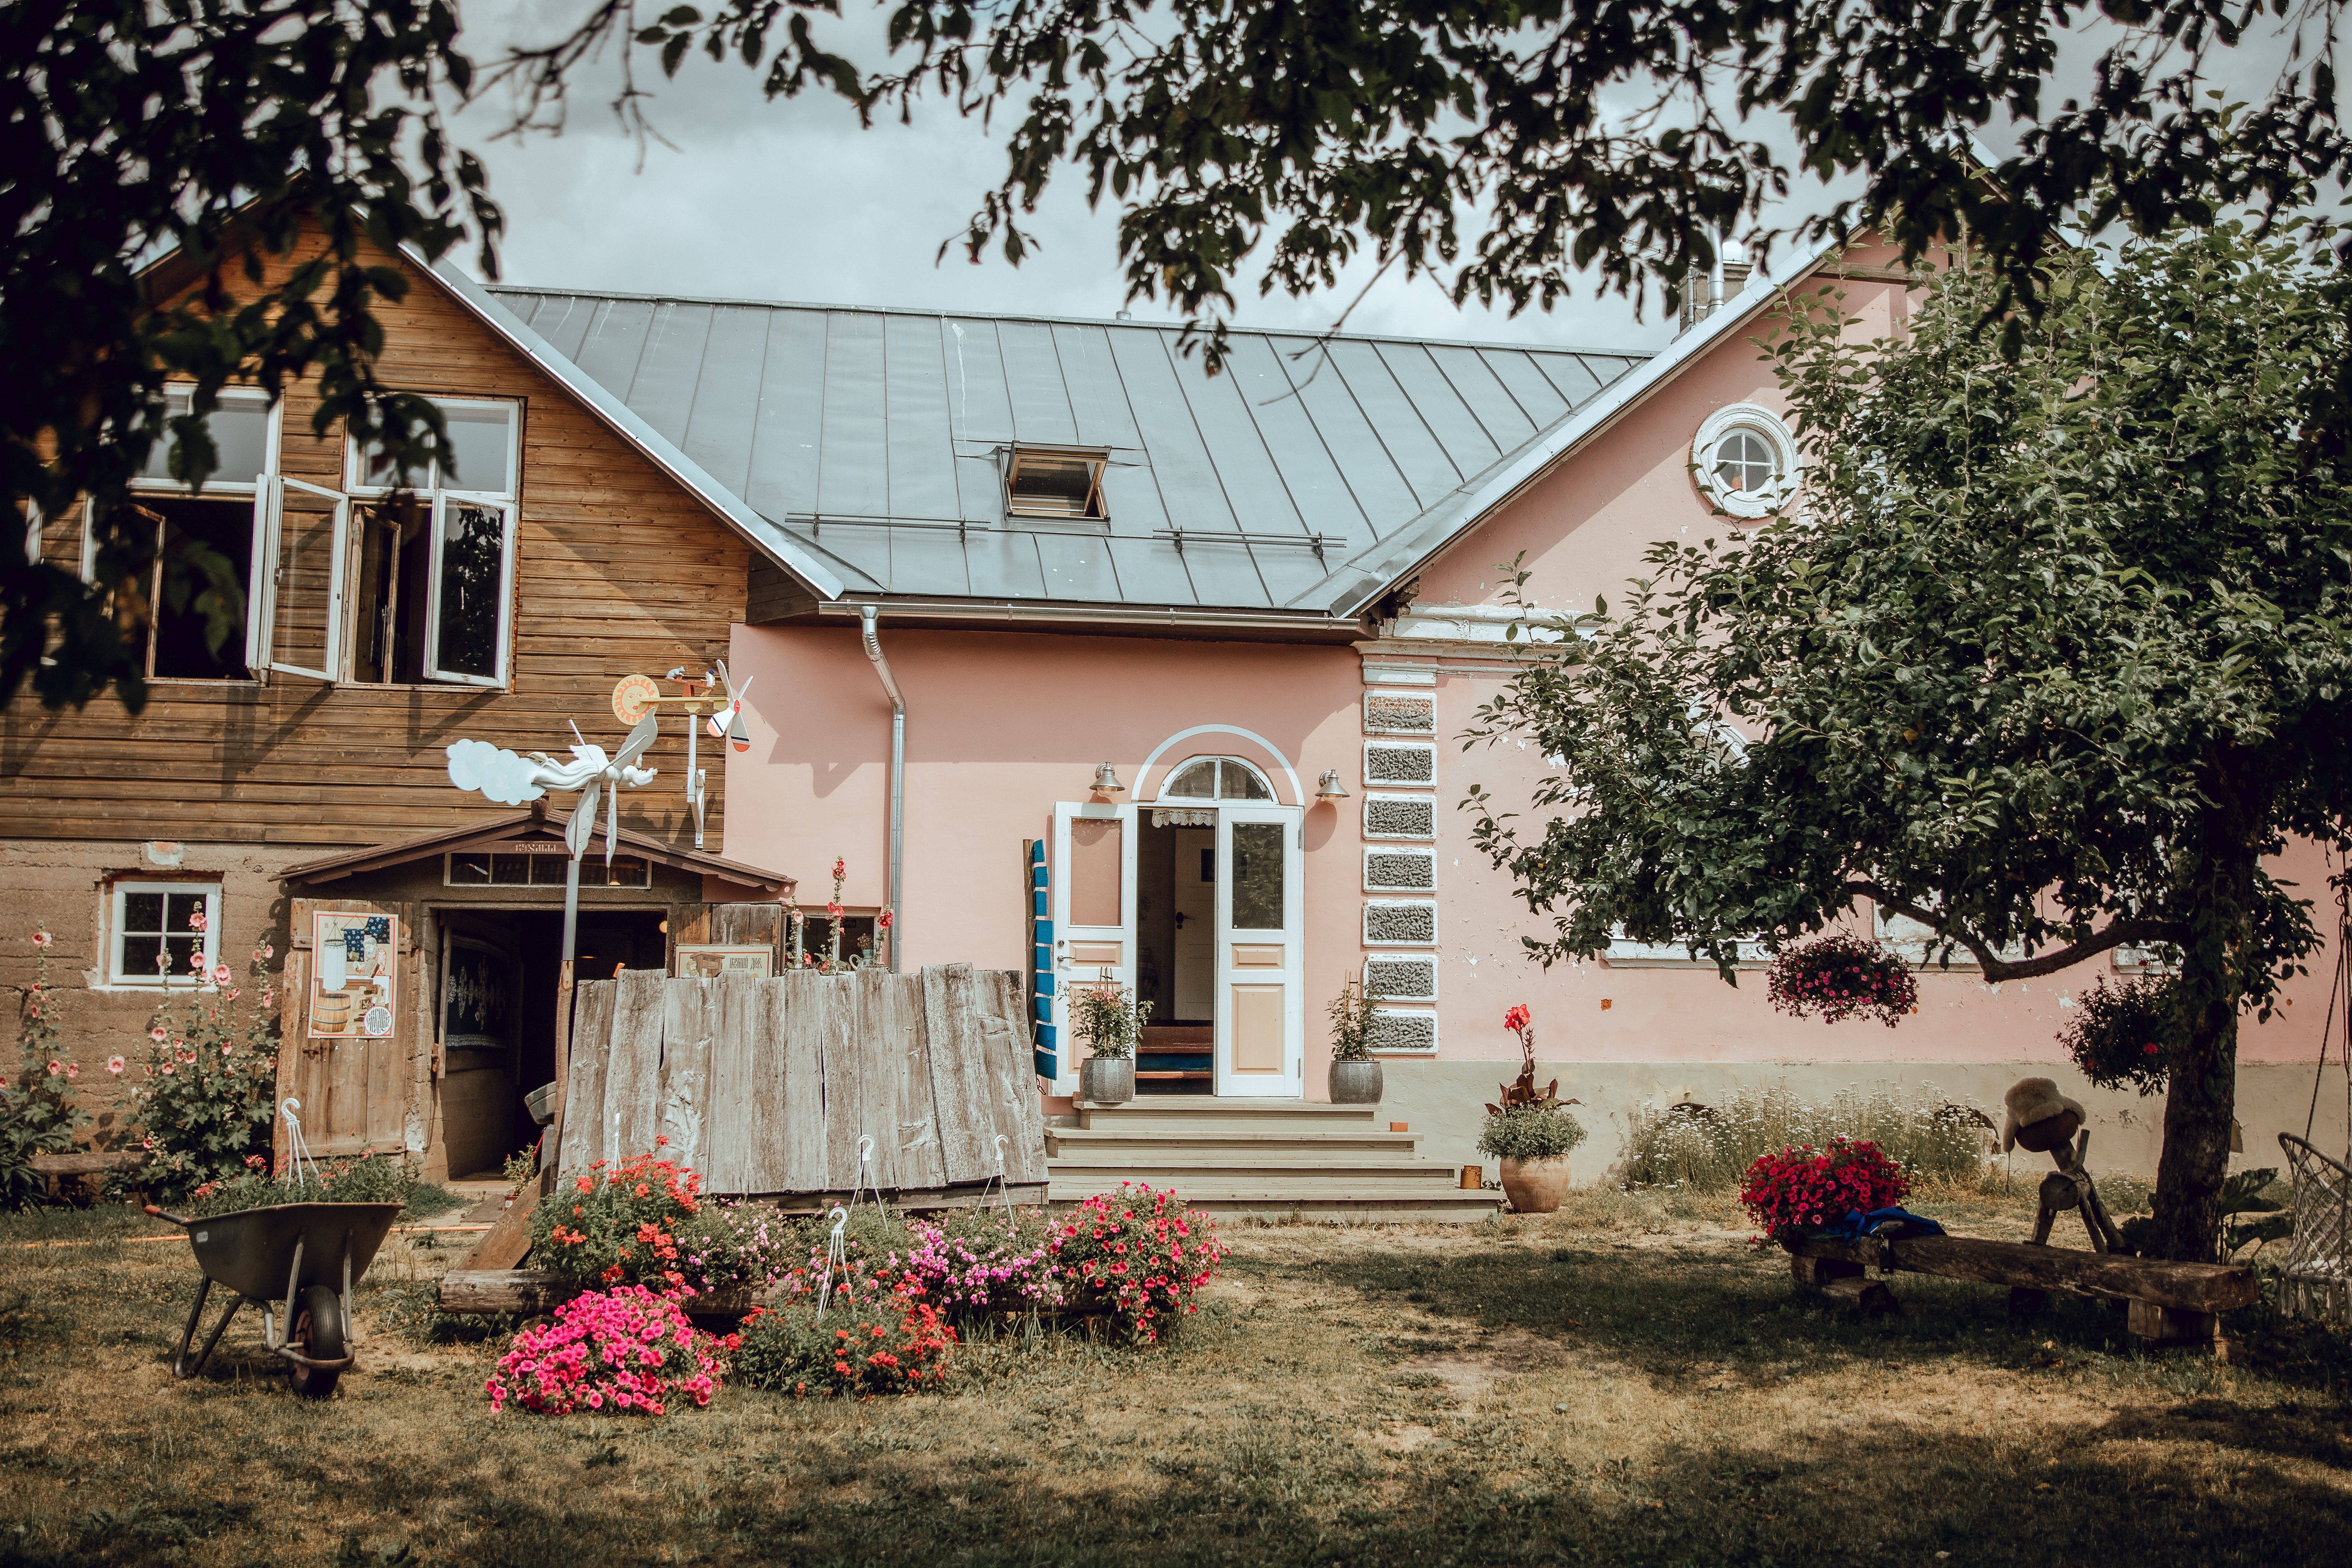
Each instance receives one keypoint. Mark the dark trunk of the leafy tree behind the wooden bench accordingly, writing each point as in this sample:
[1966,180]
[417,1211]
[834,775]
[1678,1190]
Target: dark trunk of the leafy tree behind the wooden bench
[2203,1094]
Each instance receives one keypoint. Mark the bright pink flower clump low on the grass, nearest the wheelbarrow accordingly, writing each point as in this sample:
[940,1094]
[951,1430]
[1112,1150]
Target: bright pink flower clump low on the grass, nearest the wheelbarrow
[610,1353]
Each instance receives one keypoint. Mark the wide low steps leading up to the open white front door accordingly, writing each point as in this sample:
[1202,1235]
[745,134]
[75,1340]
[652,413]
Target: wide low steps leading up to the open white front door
[1259,1158]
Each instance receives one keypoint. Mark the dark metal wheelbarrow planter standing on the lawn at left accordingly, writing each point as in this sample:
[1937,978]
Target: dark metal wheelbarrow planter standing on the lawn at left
[300,1254]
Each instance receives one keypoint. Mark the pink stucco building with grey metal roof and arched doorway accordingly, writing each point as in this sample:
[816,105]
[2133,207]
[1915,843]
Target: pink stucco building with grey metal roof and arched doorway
[1269,605]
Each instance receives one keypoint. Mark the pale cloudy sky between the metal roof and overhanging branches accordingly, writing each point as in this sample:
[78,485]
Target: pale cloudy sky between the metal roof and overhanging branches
[794,203]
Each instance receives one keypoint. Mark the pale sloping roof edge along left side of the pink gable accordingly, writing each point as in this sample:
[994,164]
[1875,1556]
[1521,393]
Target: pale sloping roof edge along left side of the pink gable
[1504,481]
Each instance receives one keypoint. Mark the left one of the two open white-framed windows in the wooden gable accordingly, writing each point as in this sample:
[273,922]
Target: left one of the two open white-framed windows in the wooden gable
[192,622]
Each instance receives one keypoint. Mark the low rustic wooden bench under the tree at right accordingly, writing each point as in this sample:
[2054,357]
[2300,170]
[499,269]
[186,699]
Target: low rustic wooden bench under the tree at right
[2170,1304]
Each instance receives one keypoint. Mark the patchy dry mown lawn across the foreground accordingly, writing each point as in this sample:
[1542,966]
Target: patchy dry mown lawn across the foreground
[1622,1383]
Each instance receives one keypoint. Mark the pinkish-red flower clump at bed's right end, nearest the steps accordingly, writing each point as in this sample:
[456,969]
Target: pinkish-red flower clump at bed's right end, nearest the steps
[1140,1254]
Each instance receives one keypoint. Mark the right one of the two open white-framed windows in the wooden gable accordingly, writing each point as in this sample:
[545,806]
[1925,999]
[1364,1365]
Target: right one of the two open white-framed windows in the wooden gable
[439,554]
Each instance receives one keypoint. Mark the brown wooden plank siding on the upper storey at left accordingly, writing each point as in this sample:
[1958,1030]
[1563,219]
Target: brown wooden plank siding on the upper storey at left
[620,572]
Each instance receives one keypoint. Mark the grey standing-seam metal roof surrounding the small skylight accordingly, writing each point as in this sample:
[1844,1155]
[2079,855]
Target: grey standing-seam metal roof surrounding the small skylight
[874,438]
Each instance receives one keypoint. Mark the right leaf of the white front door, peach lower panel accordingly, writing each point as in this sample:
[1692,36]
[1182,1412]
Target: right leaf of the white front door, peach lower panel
[1259,953]
